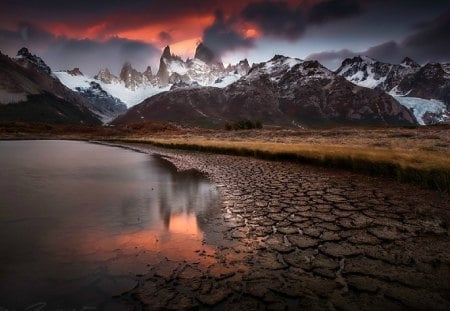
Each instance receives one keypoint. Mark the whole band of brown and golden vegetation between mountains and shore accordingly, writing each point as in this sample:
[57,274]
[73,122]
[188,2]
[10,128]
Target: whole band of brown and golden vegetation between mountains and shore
[417,155]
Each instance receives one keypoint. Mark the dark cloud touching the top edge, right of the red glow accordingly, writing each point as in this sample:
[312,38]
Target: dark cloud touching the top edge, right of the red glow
[280,19]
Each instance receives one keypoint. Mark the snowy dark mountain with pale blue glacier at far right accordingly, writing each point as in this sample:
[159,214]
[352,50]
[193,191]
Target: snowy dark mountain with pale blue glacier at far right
[425,90]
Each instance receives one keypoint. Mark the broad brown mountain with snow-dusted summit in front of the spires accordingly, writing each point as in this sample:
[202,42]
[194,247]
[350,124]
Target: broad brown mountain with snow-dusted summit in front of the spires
[282,91]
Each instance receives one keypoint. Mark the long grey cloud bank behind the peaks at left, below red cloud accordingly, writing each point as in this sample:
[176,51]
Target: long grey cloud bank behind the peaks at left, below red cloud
[89,55]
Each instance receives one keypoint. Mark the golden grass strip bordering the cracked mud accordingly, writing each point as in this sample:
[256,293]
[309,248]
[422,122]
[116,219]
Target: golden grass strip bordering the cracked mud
[422,167]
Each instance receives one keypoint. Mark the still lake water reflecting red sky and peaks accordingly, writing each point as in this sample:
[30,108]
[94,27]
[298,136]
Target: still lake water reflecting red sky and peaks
[78,221]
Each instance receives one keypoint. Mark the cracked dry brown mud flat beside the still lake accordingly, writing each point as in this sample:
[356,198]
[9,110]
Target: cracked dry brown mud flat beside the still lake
[302,237]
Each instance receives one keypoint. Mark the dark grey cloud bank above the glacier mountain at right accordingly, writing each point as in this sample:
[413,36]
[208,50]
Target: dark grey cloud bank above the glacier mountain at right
[430,42]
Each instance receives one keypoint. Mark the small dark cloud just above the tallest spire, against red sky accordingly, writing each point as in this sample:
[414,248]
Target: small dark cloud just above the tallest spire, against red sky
[221,36]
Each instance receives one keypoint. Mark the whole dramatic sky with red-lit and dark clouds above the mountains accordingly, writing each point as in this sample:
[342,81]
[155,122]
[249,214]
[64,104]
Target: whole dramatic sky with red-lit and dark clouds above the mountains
[107,33]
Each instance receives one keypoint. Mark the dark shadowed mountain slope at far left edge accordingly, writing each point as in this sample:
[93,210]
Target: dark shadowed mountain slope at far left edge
[29,93]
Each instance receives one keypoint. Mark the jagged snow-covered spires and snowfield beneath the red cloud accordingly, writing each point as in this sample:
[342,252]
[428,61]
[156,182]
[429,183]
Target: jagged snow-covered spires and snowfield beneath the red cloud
[132,87]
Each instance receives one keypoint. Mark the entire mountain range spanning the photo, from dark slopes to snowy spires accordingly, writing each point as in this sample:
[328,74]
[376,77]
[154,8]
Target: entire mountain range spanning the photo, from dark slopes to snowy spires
[201,91]
